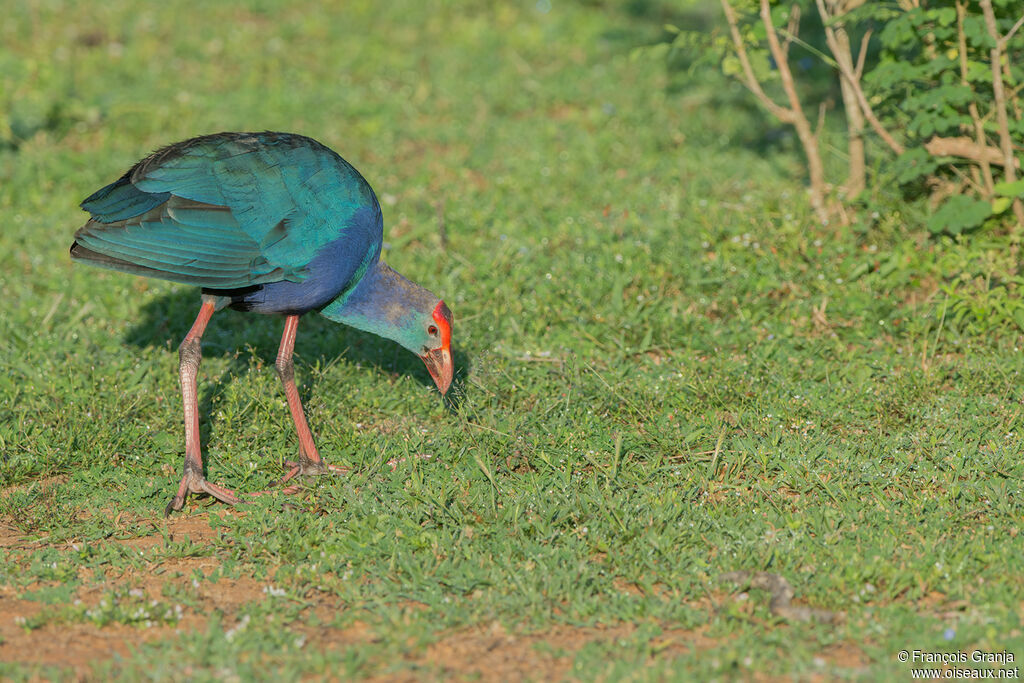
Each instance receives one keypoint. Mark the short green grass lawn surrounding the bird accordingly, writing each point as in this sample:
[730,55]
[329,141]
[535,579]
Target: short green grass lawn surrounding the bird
[666,370]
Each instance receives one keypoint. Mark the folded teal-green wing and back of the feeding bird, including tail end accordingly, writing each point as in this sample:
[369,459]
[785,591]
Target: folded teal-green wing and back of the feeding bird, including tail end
[227,211]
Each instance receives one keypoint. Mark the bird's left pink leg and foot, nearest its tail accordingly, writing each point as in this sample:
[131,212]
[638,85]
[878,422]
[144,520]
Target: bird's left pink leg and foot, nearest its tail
[190,355]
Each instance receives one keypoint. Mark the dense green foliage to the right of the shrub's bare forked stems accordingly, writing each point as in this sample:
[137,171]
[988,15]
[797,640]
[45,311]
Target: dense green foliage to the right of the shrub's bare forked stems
[934,81]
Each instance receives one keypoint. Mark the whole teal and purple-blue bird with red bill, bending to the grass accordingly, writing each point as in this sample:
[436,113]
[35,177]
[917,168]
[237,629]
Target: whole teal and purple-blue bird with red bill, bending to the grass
[265,223]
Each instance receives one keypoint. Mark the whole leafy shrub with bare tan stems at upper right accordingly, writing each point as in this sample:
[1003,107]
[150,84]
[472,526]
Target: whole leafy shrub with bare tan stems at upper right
[917,76]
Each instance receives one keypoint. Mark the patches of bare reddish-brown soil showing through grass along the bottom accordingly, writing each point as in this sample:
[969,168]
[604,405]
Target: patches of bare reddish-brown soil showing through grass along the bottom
[487,652]
